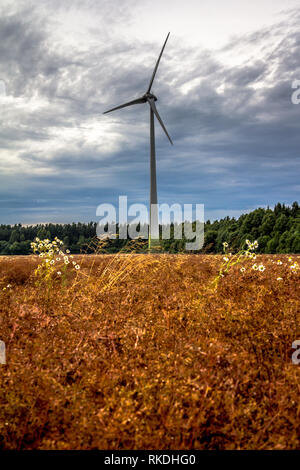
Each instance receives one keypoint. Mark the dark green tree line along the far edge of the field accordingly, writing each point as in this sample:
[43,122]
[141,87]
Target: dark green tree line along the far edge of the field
[276,230]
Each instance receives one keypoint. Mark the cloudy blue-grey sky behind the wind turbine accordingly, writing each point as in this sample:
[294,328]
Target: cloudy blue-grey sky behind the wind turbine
[224,90]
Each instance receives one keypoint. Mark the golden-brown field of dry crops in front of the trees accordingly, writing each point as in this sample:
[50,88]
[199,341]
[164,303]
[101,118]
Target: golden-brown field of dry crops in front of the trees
[146,352]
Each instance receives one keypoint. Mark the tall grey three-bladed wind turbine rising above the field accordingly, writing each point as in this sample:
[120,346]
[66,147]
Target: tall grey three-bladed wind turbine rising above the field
[149,98]
